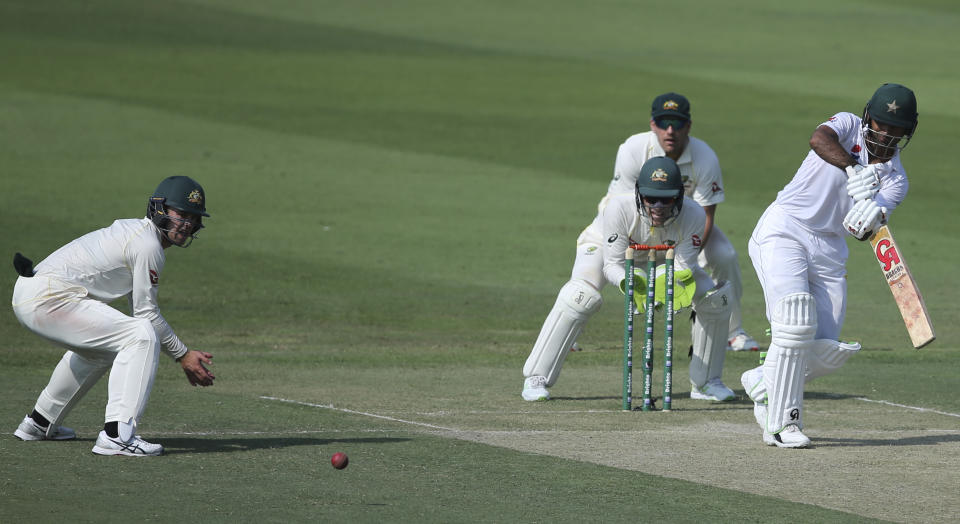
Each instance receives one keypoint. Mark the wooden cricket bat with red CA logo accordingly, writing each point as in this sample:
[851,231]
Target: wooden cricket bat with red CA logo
[904,288]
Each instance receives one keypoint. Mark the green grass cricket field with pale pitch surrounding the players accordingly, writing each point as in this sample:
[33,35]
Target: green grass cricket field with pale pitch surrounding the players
[395,191]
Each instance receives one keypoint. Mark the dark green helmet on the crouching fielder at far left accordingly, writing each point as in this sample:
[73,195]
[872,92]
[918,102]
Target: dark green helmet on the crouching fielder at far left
[182,194]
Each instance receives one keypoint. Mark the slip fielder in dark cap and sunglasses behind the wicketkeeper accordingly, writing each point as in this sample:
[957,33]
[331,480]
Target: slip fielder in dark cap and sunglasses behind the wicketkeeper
[669,136]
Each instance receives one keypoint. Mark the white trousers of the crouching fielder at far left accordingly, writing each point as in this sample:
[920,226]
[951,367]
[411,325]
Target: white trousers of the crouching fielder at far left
[99,338]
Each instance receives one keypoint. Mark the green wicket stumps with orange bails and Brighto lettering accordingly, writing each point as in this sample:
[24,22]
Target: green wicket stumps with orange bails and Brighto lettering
[648,404]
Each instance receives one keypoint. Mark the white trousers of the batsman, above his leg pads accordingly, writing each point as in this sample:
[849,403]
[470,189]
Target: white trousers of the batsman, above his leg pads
[791,259]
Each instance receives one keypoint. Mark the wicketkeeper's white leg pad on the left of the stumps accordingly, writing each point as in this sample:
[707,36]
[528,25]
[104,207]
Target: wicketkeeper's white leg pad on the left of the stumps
[576,303]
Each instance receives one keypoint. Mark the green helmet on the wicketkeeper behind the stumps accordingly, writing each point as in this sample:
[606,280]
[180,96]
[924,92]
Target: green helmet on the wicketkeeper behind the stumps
[659,190]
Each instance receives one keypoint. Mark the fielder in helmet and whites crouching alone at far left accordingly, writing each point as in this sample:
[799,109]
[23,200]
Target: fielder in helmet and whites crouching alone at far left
[66,300]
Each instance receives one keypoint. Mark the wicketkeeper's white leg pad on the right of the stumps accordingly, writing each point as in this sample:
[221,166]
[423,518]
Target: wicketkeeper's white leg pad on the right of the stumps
[710,334]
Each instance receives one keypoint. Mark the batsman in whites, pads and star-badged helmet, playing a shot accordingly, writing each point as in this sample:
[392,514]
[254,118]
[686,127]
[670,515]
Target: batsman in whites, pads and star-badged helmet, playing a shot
[849,182]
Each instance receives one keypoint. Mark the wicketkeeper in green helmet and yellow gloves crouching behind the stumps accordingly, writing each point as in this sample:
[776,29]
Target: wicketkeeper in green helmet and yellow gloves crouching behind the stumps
[655,212]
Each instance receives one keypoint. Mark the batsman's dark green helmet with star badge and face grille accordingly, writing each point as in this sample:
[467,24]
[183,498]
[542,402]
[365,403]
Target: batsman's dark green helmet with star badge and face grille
[894,105]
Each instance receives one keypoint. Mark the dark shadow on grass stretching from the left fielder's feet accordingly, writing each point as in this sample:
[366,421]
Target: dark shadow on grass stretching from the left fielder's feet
[173,446]
